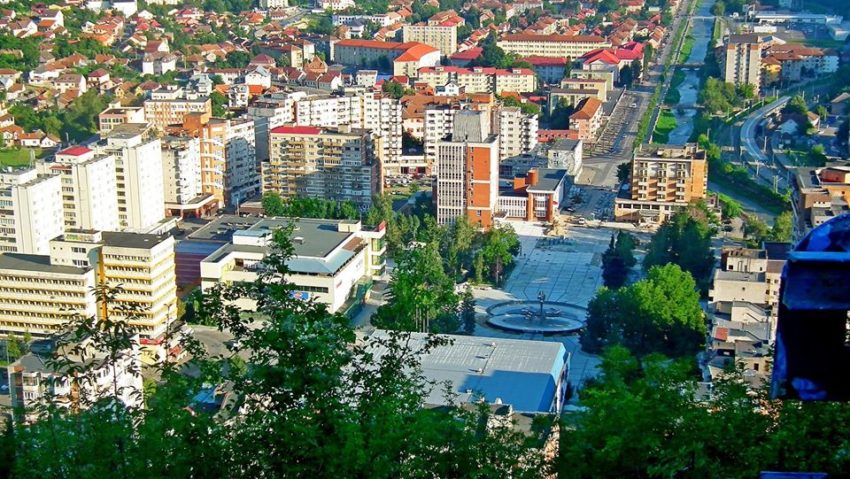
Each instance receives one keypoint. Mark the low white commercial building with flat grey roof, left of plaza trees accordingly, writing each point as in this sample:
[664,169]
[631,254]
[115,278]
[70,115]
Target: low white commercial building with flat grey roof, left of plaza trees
[333,262]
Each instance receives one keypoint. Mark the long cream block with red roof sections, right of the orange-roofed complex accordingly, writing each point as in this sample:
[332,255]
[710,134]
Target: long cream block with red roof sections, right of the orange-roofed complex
[481,79]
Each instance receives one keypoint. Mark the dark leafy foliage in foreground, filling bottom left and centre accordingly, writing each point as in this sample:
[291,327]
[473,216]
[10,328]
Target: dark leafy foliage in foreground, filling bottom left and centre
[313,401]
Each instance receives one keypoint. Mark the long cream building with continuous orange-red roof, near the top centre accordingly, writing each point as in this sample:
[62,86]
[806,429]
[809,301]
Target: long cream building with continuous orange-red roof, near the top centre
[572,46]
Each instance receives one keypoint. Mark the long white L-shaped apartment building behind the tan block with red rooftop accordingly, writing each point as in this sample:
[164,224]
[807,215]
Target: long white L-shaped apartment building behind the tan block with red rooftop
[359,109]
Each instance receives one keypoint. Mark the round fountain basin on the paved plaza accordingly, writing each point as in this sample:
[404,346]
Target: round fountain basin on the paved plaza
[540,317]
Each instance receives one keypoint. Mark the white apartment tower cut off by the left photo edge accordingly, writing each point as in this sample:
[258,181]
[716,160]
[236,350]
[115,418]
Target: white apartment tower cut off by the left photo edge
[30,211]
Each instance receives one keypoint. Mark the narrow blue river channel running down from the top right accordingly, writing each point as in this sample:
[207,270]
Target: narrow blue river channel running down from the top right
[702,29]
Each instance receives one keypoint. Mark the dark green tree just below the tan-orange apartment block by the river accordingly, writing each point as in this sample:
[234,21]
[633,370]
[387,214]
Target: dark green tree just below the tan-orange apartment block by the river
[684,239]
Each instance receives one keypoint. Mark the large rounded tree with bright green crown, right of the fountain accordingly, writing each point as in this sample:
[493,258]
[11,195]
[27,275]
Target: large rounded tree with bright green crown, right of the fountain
[660,314]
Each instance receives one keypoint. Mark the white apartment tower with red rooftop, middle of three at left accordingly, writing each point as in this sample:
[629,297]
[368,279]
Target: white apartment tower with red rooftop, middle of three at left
[89,189]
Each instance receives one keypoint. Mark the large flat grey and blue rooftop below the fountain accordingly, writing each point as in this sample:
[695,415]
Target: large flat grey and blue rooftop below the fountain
[521,373]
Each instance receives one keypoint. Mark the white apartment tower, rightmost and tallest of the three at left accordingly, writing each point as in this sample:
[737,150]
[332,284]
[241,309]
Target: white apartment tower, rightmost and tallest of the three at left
[138,175]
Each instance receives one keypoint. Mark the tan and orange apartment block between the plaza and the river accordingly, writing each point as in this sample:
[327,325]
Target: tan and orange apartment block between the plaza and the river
[664,178]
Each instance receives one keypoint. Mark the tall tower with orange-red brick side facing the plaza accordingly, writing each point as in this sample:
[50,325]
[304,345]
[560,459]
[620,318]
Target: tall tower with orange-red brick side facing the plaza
[468,171]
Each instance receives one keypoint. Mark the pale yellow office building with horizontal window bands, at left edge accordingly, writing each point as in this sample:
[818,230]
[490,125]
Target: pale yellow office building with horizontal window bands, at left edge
[40,293]
